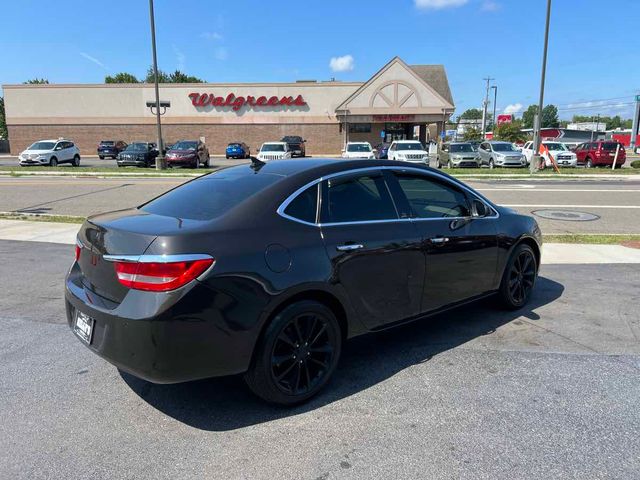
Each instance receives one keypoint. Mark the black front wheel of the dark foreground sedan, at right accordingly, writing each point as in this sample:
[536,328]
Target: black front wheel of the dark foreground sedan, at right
[519,277]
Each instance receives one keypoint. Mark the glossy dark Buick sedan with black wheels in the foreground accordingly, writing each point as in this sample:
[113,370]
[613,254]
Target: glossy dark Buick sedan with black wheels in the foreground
[265,269]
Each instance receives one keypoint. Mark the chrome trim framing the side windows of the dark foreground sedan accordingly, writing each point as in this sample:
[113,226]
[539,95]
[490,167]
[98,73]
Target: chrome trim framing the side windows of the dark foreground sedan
[427,173]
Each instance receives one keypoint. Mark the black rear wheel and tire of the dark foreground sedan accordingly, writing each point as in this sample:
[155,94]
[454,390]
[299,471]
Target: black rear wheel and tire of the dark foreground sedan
[297,355]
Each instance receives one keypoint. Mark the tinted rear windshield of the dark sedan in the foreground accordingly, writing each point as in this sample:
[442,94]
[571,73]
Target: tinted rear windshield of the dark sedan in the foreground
[210,196]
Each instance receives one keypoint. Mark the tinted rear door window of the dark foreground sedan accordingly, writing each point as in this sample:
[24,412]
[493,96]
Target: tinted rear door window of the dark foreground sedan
[360,198]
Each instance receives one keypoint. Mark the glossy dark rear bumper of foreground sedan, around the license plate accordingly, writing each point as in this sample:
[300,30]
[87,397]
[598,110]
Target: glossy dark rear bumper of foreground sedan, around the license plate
[161,337]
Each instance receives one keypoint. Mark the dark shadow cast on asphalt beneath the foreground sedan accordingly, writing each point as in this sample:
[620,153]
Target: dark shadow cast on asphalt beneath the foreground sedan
[222,404]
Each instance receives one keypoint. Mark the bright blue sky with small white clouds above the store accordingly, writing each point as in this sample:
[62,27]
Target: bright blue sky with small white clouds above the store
[593,66]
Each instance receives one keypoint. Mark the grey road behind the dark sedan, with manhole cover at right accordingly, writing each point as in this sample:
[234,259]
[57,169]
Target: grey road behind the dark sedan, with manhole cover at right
[616,203]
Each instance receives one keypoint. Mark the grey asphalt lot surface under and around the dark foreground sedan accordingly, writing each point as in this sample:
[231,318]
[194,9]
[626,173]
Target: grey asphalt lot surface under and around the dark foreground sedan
[547,392]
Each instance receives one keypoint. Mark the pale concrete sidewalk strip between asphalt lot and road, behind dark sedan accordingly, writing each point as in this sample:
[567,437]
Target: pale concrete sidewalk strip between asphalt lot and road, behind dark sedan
[552,253]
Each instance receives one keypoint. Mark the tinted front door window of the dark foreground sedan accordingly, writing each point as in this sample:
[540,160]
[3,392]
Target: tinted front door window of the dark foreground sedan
[431,199]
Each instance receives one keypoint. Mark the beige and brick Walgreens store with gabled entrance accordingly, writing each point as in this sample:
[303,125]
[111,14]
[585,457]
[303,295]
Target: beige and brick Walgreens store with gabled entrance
[400,101]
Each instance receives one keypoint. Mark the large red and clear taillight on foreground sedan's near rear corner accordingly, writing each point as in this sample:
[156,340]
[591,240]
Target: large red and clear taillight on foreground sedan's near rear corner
[160,276]
